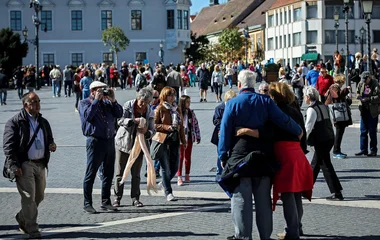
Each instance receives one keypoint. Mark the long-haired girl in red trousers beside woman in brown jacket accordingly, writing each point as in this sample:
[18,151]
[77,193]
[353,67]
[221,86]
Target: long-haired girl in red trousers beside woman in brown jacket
[192,134]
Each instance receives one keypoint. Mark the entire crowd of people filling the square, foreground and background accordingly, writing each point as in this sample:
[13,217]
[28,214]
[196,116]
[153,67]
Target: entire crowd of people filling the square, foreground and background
[261,137]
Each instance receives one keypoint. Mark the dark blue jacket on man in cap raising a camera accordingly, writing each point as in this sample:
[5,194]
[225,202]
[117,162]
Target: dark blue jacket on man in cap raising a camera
[98,118]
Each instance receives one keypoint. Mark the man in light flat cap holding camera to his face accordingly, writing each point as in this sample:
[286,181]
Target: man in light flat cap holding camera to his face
[98,113]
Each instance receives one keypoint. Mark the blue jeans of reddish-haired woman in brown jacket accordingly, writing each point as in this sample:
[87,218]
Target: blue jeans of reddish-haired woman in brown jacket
[169,164]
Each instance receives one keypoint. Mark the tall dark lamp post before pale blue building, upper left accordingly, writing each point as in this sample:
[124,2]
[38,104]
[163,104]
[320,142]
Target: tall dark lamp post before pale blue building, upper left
[37,7]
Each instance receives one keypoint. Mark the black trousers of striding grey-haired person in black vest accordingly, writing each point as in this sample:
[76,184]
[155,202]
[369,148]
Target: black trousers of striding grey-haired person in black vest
[322,160]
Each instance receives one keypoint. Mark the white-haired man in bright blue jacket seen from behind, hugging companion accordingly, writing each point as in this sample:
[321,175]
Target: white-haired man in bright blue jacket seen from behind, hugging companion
[251,110]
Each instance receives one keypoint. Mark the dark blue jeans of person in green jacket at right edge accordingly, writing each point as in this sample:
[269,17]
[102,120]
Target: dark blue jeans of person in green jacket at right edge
[368,124]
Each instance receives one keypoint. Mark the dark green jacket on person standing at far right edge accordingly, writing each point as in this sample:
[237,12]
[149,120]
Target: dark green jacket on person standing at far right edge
[374,98]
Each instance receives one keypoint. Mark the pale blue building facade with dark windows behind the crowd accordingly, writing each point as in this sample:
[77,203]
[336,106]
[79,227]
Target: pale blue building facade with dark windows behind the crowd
[71,30]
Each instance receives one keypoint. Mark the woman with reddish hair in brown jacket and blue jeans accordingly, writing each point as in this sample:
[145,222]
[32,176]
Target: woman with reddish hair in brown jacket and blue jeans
[168,121]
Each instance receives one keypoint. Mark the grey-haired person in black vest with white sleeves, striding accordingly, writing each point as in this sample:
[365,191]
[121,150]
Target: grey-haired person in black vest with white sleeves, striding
[320,134]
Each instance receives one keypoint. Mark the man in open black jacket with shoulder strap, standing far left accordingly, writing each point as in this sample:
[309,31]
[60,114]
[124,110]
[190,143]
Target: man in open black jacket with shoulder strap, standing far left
[28,141]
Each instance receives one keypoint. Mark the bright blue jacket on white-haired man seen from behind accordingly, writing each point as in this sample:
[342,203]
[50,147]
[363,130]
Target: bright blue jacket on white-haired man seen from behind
[251,110]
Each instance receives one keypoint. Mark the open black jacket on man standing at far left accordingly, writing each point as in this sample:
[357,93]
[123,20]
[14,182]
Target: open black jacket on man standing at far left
[17,135]
